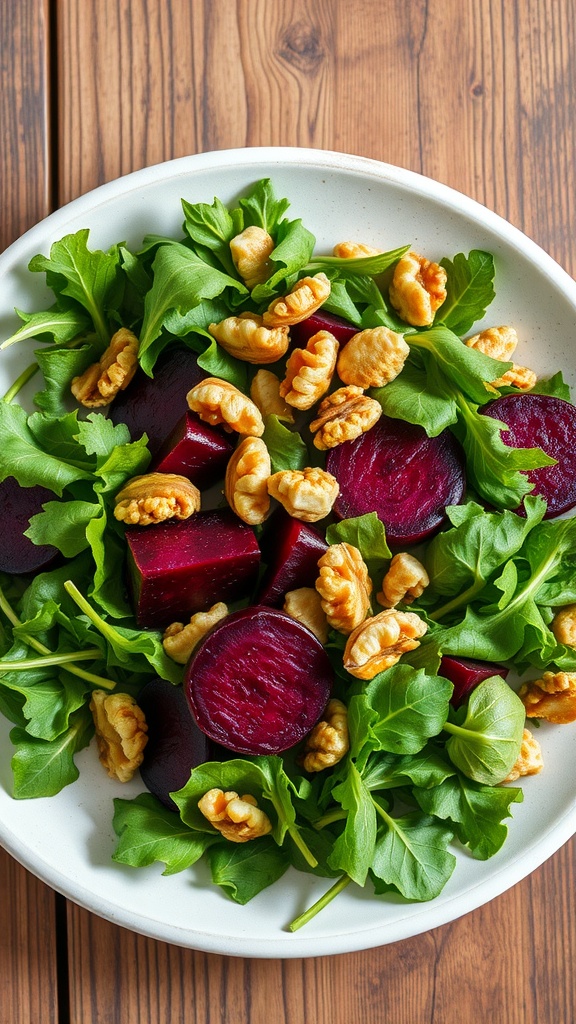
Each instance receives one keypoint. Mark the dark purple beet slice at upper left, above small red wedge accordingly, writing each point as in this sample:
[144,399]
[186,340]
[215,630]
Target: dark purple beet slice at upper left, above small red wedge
[154,405]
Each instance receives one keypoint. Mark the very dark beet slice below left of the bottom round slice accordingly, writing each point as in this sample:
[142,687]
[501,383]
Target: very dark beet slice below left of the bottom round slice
[176,745]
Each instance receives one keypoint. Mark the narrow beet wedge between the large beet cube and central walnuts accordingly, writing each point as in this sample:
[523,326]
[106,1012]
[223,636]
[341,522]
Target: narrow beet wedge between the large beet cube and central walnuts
[292,549]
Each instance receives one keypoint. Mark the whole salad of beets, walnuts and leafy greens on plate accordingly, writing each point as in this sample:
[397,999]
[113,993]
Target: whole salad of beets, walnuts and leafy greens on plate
[423,758]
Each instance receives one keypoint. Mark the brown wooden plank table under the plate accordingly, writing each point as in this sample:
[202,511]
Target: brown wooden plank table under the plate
[478,94]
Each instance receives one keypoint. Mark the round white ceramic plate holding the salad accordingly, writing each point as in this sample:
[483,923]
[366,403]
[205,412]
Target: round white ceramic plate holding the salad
[67,841]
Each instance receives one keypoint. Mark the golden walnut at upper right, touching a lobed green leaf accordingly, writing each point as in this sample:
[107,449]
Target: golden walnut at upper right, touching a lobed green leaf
[418,289]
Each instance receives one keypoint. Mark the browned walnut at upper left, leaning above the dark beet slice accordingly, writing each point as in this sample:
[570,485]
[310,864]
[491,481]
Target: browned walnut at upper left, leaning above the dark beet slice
[100,385]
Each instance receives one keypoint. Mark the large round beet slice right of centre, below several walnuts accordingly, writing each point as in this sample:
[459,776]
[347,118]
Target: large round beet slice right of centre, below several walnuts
[398,472]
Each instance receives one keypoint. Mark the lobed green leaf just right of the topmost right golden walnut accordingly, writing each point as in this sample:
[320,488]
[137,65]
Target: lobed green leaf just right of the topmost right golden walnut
[470,290]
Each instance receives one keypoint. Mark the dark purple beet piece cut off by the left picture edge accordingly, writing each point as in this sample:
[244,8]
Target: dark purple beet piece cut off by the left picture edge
[18,505]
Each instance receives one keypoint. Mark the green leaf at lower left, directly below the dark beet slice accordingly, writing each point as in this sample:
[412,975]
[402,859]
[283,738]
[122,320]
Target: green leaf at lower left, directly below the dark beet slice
[149,832]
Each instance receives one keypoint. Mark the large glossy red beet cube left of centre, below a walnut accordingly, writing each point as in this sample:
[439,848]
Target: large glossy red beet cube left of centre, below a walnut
[178,569]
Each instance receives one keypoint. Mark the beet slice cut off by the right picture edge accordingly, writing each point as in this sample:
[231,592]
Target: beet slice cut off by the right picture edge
[549,423]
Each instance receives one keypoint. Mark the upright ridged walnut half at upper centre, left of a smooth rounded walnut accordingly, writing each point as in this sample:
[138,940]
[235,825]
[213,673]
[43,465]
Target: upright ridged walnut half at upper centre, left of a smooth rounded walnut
[310,370]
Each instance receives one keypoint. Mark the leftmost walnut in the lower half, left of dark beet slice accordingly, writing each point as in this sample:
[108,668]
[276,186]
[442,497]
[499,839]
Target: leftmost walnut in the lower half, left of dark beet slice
[121,734]
